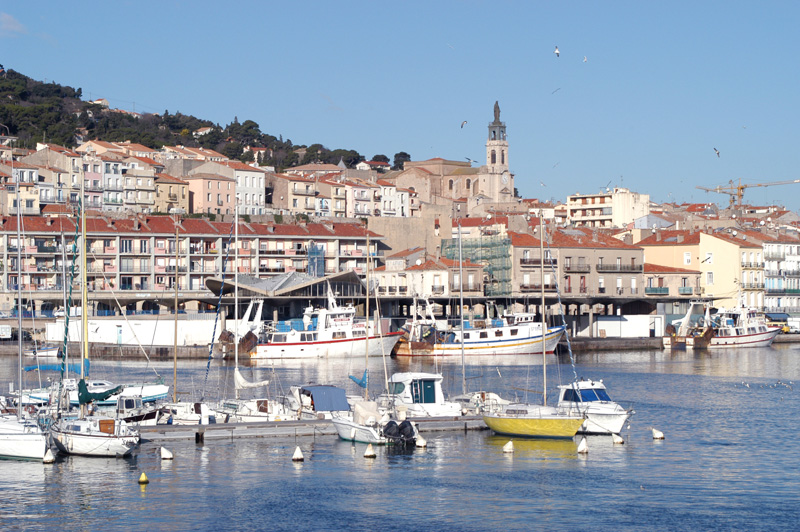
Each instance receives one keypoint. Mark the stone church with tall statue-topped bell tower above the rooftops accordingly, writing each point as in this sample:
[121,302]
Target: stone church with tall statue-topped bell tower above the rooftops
[441,182]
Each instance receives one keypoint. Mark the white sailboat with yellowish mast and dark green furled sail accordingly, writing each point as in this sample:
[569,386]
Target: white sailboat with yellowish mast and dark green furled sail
[91,435]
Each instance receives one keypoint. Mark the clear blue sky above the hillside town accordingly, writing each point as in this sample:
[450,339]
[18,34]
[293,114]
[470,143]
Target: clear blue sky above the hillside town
[663,84]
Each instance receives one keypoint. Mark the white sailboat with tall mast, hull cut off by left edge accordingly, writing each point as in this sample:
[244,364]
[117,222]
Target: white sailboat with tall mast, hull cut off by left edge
[20,438]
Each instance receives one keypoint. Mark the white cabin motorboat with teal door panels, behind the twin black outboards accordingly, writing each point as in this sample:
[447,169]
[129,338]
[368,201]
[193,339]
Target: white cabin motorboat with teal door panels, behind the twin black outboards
[418,395]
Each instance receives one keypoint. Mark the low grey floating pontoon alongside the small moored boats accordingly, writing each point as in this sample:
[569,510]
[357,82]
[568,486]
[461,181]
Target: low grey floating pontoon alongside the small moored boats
[287,429]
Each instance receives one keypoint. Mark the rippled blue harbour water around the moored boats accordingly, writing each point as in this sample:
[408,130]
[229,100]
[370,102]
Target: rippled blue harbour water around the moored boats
[728,462]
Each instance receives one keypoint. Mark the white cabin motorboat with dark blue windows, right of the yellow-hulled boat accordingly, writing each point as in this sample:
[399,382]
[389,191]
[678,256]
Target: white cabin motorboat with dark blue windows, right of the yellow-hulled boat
[590,398]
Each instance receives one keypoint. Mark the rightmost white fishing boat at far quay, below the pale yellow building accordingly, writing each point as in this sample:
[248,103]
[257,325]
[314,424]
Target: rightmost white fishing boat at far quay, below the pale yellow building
[736,327]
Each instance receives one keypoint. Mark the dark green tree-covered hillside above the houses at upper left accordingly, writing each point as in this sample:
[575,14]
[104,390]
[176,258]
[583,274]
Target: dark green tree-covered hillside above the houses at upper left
[35,111]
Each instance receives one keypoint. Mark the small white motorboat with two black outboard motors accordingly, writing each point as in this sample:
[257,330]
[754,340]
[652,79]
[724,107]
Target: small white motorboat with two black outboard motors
[365,424]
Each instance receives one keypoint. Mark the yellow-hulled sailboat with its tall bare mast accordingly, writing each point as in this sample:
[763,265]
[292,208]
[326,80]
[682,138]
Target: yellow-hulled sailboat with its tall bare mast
[534,420]
